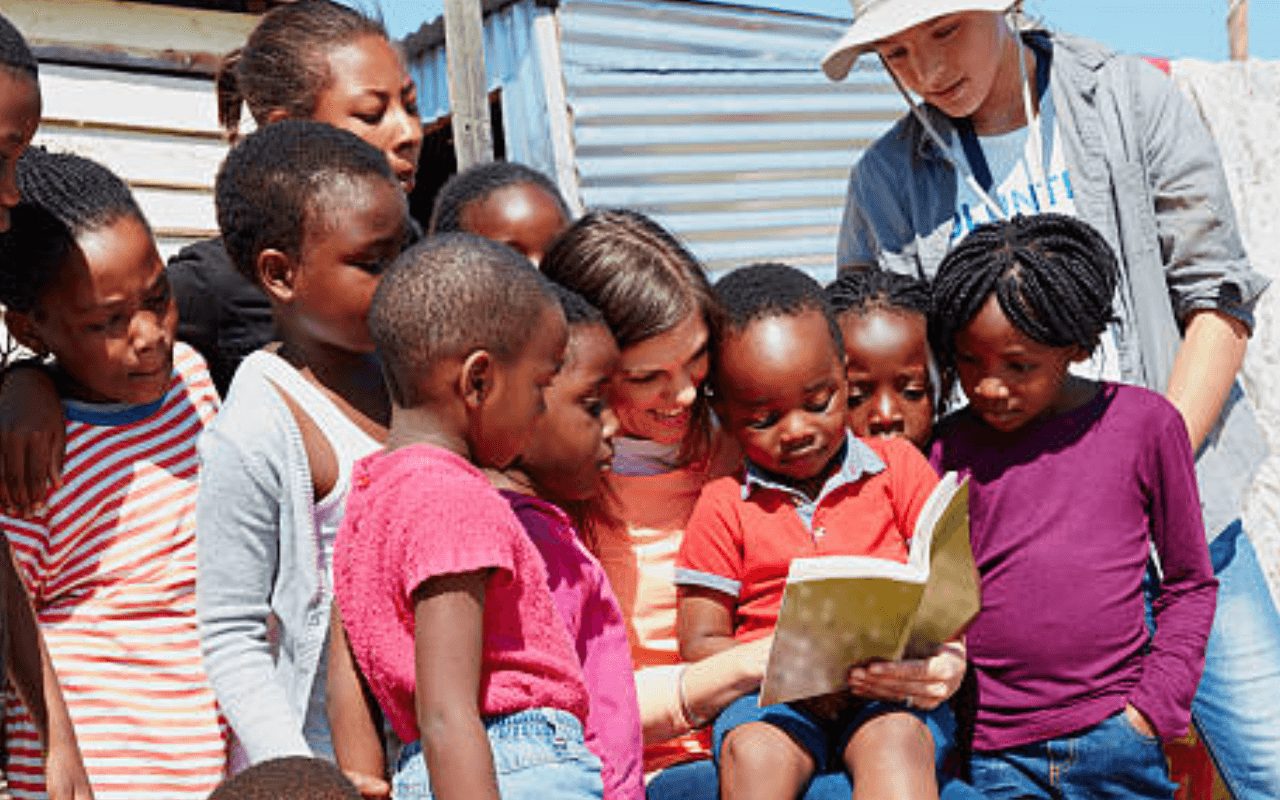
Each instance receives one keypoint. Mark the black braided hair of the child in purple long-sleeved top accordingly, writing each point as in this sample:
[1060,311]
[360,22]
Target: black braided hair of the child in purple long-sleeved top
[1053,276]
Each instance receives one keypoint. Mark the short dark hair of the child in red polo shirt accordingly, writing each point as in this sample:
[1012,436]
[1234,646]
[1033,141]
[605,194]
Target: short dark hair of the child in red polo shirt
[770,290]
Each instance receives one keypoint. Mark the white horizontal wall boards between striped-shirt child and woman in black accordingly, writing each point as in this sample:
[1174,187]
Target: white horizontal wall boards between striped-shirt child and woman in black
[158,132]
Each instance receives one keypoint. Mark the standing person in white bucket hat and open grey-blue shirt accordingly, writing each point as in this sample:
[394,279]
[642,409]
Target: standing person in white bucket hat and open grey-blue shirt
[1031,122]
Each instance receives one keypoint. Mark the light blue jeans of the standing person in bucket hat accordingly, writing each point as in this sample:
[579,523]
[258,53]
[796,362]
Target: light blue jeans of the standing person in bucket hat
[1237,707]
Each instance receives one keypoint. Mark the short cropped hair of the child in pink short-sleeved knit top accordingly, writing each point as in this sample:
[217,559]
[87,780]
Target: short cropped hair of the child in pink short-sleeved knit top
[449,296]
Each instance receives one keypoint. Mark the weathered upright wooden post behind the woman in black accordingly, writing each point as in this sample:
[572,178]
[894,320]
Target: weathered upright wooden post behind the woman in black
[469,88]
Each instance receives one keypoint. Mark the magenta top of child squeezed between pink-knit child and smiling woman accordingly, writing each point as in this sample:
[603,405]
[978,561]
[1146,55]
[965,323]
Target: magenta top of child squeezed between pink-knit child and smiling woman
[595,620]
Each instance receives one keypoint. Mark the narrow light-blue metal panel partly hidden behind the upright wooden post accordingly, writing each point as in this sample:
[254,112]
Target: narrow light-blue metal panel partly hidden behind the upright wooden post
[514,66]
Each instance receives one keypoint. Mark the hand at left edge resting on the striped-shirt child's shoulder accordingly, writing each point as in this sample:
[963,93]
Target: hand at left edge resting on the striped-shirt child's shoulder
[33,438]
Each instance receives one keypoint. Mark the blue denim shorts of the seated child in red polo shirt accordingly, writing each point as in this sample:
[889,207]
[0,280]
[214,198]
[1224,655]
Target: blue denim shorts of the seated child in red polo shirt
[826,740]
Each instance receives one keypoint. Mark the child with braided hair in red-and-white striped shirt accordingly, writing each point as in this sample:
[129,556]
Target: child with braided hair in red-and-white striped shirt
[111,564]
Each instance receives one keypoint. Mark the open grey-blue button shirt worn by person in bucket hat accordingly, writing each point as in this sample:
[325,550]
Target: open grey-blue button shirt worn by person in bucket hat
[1148,176]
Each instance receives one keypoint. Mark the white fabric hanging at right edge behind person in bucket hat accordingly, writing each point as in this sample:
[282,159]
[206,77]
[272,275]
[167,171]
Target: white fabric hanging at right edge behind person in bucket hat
[1240,104]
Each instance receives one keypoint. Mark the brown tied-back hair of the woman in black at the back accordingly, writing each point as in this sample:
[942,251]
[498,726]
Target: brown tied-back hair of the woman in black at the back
[284,66]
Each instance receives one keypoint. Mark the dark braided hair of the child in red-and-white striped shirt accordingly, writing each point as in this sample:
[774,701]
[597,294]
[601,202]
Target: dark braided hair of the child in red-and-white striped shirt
[63,196]
